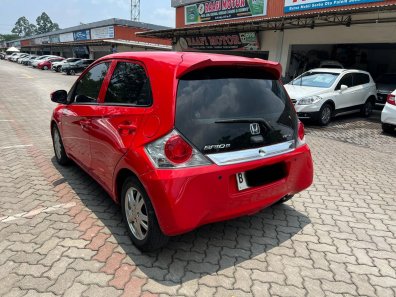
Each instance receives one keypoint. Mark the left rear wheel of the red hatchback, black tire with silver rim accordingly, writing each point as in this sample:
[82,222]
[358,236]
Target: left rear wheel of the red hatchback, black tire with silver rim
[145,240]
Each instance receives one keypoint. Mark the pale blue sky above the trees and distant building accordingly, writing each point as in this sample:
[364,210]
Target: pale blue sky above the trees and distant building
[68,13]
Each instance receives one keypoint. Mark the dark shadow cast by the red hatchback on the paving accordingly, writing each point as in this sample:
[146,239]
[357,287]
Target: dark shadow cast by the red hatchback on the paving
[210,249]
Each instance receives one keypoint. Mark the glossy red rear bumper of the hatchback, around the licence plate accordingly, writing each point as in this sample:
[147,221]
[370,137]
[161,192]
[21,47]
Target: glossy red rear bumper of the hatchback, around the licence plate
[187,198]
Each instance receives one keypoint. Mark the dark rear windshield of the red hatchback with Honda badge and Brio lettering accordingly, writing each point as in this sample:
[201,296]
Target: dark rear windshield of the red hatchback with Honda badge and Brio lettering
[222,109]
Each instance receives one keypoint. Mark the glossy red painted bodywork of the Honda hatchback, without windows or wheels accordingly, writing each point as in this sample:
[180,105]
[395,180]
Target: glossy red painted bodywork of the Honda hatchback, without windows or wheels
[183,198]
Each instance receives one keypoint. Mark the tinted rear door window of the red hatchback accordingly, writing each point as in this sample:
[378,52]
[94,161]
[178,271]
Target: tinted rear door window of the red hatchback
[129,85]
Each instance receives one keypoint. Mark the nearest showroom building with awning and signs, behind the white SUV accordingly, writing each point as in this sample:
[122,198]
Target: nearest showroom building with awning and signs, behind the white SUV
[297,33]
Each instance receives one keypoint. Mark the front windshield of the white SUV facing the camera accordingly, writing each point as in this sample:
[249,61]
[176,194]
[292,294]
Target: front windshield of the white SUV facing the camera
[316,79]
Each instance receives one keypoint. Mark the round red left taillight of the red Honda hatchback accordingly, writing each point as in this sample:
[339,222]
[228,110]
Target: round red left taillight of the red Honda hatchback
[177,150]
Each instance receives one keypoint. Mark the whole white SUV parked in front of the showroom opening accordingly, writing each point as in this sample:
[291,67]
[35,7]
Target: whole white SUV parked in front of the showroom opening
[322,93]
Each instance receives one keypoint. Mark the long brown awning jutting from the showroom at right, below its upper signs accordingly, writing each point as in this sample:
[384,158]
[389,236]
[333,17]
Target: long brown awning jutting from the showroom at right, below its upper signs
[332,17]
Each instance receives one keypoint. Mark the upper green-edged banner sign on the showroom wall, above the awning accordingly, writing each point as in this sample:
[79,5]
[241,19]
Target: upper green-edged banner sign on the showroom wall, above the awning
[218,10]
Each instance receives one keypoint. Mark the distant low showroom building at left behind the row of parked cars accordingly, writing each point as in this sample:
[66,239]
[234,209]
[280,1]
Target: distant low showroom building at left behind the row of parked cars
[93,40]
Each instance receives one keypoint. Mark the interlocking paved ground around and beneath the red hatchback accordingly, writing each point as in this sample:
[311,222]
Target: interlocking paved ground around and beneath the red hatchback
[60,234]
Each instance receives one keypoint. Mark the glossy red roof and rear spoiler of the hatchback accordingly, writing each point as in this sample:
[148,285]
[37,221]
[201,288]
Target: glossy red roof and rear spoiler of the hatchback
[189,61]
